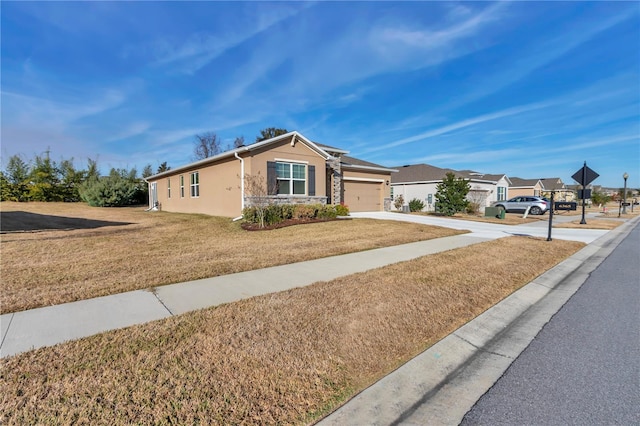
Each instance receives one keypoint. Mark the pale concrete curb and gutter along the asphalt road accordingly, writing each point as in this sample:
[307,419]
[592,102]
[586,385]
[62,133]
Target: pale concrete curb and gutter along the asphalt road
[443,383]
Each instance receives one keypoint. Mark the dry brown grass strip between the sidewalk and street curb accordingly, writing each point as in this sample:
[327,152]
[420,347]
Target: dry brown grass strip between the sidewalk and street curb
[284,358]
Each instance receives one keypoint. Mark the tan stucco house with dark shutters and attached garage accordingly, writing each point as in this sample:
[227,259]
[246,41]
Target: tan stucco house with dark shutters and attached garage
[294,170]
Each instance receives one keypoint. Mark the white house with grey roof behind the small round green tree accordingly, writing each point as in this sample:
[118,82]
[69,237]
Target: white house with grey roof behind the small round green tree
[420,181]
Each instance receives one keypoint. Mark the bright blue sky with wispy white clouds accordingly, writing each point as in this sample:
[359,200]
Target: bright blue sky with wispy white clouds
[529,89]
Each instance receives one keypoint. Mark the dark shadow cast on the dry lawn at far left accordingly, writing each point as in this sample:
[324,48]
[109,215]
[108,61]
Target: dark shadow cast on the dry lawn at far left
[32,222]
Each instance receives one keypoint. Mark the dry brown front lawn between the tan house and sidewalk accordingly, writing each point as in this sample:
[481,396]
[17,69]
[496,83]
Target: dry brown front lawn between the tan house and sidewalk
[54,252]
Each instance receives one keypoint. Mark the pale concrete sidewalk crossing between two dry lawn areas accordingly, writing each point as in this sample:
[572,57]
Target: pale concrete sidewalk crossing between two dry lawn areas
[36,328]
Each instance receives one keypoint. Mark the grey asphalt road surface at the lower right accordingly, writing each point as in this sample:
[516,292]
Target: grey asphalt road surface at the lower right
[583,368]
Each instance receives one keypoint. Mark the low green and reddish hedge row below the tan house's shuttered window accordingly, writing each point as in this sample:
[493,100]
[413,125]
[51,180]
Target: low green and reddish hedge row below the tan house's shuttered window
[276,213]
